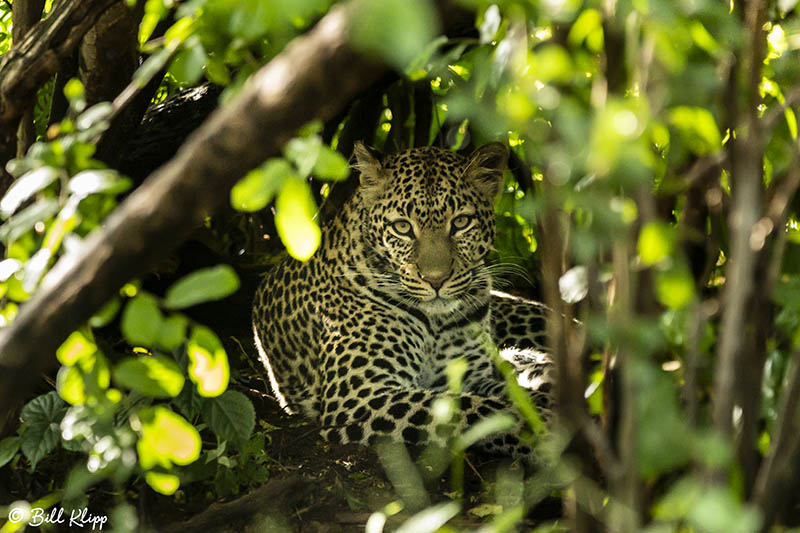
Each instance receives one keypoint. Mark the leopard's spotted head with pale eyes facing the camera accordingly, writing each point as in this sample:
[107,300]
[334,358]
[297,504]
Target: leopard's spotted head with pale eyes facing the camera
[427,219]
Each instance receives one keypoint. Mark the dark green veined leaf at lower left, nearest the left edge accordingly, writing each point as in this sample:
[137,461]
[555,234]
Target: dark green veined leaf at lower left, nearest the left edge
[41,417]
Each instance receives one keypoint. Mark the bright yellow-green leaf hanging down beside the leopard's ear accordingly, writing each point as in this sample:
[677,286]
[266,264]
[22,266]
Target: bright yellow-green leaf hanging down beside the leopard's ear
[294,218]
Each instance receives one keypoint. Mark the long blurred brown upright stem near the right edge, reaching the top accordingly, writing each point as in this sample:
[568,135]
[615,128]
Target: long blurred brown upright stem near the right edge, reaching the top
[746,185]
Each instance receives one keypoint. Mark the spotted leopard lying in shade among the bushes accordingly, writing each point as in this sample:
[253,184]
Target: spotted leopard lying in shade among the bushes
[360,336]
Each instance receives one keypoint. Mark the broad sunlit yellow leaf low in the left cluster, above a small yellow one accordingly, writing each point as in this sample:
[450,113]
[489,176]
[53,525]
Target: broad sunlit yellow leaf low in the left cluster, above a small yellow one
[167,438]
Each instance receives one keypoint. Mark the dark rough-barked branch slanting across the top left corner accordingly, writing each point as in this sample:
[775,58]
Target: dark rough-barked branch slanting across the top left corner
[29,64]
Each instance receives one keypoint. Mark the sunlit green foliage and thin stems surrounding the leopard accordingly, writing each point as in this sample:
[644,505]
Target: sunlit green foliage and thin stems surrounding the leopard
[628,125]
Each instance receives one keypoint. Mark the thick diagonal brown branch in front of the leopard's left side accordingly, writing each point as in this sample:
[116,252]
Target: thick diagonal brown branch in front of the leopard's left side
[291,90]
